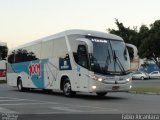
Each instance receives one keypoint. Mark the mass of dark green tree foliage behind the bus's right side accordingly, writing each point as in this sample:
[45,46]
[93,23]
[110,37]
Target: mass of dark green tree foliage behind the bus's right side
[147,40]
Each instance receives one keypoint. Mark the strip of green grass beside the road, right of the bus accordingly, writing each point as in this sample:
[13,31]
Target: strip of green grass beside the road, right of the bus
[155,90]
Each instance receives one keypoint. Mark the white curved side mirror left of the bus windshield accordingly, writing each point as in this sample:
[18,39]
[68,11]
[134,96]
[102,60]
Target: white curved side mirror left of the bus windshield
[88,43]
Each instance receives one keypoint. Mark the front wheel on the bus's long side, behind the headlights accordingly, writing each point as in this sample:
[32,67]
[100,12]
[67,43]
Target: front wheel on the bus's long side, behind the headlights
[67,91]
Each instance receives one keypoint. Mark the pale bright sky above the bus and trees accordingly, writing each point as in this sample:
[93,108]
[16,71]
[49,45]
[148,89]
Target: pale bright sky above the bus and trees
[22,21]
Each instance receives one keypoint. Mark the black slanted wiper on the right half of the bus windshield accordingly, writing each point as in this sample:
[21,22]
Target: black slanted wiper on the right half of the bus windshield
[116,60]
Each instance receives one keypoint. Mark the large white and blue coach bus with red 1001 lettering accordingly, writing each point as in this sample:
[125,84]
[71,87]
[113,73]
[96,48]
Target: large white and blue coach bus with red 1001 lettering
[71,61]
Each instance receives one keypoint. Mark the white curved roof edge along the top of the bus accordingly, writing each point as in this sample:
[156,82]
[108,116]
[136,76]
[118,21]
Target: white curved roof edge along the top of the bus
[72,32]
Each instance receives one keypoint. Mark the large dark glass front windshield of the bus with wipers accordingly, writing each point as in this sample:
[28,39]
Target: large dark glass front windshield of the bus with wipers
[109,57]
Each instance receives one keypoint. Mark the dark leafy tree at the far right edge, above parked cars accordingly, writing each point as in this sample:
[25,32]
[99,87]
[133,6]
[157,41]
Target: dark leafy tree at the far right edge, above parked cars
[150,47]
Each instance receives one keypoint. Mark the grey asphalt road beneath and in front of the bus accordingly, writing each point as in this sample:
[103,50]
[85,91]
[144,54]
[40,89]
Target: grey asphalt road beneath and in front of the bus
[38,105]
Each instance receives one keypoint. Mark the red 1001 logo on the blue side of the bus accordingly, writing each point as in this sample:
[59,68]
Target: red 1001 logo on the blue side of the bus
[35,69]
